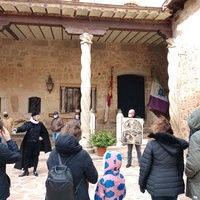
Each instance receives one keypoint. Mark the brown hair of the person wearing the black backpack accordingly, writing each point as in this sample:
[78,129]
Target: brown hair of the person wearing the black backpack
[73,128]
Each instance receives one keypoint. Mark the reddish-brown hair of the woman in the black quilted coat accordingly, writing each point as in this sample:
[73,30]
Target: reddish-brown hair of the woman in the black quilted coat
[161,125]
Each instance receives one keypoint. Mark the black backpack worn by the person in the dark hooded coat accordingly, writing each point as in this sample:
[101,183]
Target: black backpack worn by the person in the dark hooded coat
[59,183]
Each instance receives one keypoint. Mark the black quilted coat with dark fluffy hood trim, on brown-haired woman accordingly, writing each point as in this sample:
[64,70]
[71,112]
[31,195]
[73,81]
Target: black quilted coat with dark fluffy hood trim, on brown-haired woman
[162,165]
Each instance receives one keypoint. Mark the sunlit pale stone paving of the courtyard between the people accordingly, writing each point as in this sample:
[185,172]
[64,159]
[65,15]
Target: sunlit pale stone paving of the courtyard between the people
[33,188]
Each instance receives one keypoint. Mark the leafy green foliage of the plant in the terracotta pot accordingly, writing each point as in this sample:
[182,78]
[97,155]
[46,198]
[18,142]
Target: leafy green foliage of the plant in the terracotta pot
[102,139]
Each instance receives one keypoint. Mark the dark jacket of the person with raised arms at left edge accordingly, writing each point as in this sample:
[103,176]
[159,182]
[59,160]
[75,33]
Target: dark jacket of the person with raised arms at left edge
[8,154]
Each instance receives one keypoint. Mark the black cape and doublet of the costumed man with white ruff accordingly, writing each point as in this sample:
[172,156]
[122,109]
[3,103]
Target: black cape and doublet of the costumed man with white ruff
[33,132]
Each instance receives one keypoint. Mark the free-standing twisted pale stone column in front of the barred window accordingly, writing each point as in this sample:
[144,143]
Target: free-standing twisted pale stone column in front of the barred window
[86,41]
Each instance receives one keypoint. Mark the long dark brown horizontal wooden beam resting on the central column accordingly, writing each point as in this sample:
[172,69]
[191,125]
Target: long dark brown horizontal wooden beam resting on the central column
[98,26]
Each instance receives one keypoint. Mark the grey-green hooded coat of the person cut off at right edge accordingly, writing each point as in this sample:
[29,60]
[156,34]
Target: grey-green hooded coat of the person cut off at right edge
[192,169]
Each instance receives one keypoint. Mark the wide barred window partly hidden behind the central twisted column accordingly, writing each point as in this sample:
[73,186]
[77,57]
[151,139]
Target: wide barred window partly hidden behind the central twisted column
[71,99]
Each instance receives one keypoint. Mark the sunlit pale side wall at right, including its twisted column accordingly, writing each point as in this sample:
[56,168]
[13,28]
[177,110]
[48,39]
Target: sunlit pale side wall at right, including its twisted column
[184,70]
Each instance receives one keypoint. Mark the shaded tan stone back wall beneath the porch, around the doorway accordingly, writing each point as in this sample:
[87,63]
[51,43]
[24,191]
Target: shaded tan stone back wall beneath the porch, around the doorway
[26,64]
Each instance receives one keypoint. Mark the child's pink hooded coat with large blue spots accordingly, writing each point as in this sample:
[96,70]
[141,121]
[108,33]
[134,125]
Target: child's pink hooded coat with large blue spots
[112,184]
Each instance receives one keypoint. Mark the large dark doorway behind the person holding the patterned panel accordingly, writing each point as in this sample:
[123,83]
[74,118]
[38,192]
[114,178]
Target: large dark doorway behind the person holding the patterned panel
[131,94]
